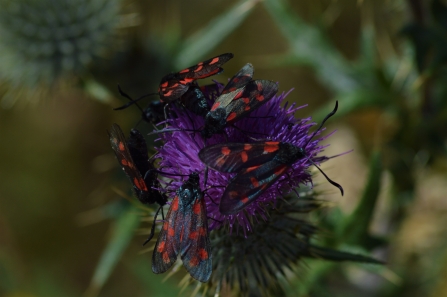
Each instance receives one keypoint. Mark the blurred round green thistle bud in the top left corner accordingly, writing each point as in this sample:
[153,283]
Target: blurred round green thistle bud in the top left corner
[44,42]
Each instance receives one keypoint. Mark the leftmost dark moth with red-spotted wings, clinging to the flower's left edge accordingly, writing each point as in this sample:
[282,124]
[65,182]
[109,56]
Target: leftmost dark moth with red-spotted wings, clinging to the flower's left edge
[133,157]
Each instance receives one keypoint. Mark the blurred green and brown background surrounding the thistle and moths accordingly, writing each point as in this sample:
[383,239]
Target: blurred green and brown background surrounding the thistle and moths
[61,210]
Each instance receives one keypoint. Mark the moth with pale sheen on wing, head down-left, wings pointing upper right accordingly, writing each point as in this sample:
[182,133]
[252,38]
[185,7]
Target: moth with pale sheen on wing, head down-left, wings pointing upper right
[240,96]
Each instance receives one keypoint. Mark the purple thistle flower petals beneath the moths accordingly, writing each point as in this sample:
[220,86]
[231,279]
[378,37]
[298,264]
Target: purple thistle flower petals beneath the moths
[179,155]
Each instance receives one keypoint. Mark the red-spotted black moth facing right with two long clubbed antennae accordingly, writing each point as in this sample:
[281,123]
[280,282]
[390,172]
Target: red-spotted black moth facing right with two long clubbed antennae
[258,165]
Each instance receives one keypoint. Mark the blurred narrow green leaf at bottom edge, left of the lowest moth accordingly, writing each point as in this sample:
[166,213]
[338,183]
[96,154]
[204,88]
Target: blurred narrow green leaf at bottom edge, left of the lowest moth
[123,231]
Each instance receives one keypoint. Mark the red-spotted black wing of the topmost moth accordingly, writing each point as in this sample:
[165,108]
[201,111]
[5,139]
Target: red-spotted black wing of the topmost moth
[174,85]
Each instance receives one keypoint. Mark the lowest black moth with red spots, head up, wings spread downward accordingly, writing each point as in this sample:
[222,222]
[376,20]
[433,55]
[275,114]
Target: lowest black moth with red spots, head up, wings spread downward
[185,232]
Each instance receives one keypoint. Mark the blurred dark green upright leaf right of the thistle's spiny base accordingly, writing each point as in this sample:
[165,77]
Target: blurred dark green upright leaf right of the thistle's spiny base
[355,229]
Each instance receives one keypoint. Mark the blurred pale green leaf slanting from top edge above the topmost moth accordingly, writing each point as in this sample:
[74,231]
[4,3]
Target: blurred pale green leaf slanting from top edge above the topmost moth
[203,41]
